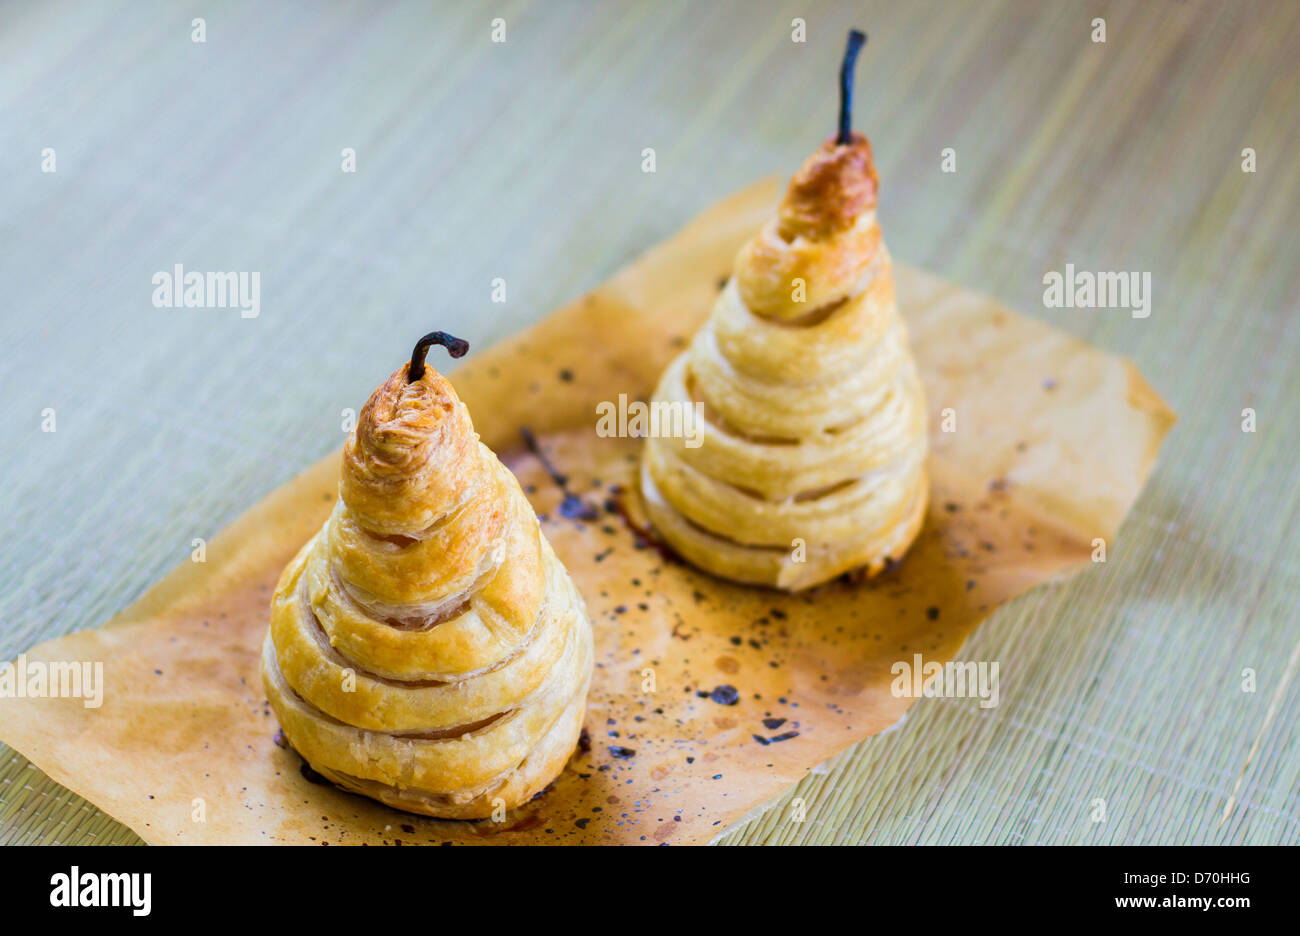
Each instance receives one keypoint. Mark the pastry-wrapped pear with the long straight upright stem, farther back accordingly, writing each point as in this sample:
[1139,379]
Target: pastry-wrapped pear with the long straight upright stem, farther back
[812,457]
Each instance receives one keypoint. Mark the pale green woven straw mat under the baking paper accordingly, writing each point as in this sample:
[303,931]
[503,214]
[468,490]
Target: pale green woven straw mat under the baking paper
[523,161]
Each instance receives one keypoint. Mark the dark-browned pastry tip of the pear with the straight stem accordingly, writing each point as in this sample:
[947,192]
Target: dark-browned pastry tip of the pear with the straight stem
[831,190]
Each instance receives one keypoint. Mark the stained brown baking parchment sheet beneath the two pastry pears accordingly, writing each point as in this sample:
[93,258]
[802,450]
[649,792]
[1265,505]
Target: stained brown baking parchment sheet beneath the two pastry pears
[752,688]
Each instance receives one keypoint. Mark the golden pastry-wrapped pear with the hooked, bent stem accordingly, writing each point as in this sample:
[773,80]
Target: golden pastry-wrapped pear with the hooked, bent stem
[427,648]
